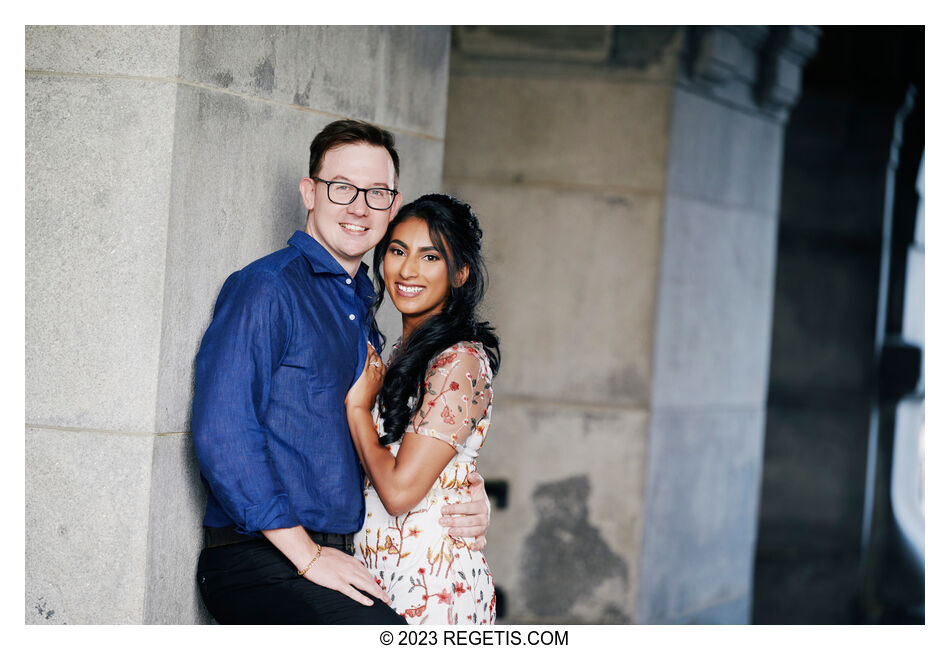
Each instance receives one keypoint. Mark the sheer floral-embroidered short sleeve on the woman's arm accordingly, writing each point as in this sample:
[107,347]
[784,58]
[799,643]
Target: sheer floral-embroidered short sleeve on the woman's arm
[457,394]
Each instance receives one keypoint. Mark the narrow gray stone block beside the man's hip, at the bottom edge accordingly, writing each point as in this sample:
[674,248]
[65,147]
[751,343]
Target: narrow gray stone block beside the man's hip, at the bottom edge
[177,505]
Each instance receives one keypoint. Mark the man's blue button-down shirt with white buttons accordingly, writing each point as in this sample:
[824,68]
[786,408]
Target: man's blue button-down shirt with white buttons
[286,342]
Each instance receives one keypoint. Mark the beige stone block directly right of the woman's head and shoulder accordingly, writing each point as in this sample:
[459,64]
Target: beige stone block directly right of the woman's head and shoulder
[572,286]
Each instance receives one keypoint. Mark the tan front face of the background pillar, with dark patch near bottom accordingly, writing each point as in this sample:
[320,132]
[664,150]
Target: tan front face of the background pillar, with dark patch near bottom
[563,156]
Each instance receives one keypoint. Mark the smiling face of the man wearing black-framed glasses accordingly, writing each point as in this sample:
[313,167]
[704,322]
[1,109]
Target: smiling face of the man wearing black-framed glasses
[349,231]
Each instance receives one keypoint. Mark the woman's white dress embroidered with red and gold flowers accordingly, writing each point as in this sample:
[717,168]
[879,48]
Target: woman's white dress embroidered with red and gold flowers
[430,576]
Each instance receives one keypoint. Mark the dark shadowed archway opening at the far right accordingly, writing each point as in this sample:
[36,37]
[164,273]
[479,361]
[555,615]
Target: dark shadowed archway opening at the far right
[827,550]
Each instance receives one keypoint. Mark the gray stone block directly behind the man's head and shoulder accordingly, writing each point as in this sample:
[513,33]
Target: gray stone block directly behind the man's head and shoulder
[236,199]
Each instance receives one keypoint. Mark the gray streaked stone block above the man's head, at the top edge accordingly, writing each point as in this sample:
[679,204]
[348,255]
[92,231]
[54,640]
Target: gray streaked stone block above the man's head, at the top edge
[394,76]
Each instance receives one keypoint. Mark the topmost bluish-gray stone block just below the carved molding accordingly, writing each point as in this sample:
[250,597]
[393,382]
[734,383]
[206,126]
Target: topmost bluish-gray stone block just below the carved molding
[723,156]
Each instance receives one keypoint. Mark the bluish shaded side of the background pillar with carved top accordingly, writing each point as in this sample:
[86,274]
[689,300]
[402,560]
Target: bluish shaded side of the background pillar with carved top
[713,321]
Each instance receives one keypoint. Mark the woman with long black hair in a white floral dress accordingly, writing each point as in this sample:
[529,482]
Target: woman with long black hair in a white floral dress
[433,413]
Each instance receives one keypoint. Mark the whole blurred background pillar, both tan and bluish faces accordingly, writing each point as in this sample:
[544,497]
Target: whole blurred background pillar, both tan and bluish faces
[628,182]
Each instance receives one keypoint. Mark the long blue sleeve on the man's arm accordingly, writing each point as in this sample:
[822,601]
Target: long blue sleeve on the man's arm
[242,348]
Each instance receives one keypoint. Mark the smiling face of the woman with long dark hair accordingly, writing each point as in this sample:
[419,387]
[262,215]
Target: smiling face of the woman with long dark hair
[415,273]
